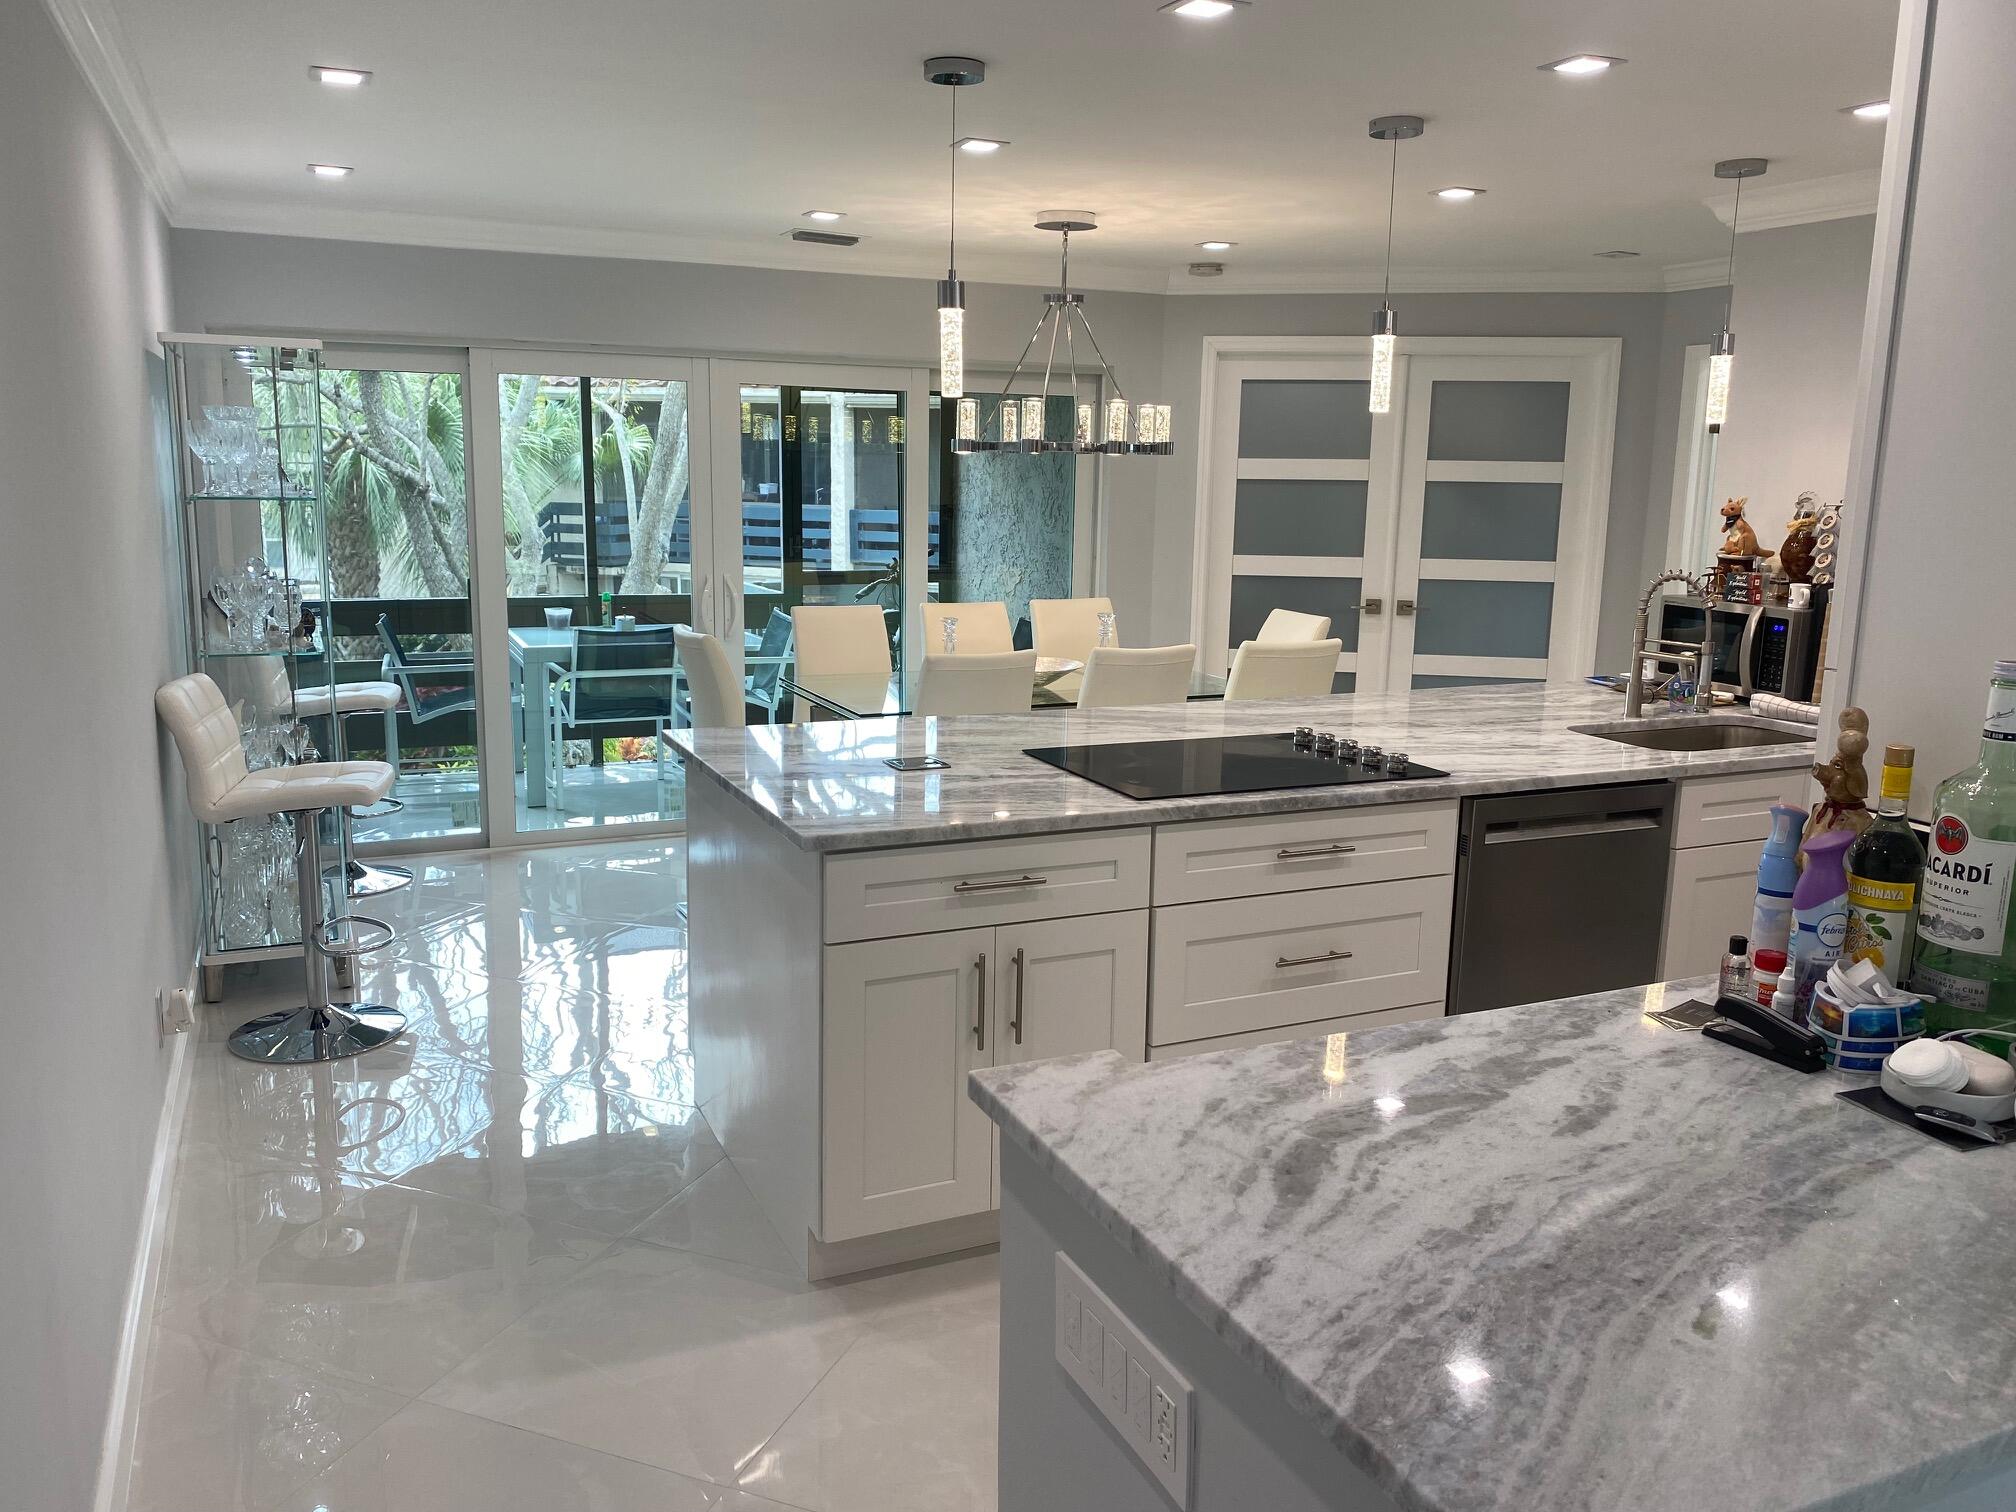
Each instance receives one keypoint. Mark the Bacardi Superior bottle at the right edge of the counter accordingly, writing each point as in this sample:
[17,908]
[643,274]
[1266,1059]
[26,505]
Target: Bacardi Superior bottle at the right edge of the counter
[1967,934]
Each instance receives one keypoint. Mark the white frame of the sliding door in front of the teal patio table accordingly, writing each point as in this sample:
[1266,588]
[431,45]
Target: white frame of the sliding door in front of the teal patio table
[491,600]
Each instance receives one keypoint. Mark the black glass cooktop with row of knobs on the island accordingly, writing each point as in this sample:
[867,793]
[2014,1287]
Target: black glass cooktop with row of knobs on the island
[1196,769]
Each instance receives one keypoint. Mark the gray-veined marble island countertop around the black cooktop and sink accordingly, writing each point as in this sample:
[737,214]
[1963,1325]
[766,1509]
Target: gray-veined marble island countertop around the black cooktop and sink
[826,785]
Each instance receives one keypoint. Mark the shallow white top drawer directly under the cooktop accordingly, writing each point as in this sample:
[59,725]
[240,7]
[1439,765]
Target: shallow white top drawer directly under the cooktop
[1291,854]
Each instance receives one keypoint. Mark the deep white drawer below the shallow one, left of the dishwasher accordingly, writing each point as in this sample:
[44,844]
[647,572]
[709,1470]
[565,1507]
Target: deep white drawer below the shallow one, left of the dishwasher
[1293,959]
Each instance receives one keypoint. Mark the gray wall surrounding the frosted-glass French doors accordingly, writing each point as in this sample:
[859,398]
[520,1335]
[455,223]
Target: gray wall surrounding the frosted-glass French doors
[1648,324]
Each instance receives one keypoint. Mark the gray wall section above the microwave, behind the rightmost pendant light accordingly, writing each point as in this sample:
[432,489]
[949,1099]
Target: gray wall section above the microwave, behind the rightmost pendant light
[1799,344]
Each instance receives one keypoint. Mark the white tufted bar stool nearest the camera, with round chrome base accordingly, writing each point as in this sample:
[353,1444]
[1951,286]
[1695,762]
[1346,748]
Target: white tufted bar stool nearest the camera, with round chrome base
[223,789]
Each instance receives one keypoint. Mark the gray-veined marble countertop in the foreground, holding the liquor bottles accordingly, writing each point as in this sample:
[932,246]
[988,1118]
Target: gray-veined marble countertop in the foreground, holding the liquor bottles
[1563,1259]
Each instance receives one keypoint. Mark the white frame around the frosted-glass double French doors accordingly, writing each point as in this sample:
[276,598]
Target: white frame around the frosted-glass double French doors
[1586,485]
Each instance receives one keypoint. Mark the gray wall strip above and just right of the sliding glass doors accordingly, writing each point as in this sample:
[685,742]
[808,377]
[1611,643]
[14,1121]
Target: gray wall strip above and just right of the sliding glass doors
[354,289]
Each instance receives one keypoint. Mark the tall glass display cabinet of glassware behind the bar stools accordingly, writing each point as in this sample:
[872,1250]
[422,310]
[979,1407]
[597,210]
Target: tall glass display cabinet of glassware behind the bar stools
[249,467]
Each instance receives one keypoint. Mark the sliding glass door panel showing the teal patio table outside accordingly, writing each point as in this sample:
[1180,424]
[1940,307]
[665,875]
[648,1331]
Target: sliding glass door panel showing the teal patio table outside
[588,467]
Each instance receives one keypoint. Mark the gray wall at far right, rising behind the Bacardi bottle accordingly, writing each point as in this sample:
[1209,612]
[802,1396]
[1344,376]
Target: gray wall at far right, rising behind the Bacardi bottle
[1936,604]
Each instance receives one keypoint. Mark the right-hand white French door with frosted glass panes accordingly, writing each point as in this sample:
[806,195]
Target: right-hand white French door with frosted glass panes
[1499,533]
